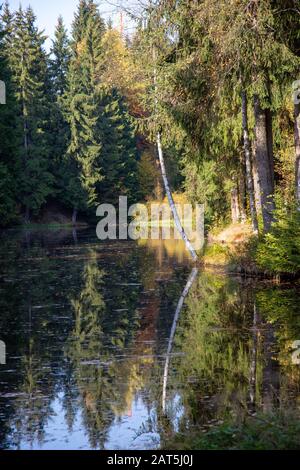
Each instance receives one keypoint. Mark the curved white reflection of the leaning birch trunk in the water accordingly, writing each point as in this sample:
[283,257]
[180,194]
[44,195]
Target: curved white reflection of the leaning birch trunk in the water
[187,288]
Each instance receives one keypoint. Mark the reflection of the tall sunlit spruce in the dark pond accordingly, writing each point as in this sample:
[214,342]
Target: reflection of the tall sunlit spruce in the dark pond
[96,348]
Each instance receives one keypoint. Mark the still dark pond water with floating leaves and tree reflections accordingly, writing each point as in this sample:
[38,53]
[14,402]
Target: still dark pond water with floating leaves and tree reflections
[100,354]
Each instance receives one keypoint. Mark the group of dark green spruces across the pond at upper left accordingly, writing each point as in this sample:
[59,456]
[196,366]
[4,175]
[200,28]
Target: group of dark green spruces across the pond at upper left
[66,134]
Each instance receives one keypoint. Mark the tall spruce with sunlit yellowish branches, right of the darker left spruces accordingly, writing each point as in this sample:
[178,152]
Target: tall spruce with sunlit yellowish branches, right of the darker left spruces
[82,98]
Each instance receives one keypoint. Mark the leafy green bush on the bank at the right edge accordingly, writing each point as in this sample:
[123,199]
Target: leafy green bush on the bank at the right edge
[279,251]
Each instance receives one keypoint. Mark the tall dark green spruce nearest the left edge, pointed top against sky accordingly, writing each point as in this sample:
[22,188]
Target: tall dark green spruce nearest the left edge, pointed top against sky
[28,62]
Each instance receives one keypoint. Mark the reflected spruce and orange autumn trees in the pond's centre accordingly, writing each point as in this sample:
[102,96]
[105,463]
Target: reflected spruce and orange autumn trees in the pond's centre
[114,341]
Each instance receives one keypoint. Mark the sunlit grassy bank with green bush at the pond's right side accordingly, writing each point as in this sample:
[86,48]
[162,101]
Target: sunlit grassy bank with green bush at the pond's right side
[275,254]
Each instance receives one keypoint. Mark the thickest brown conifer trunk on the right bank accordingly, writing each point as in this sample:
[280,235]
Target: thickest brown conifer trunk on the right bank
[265,165]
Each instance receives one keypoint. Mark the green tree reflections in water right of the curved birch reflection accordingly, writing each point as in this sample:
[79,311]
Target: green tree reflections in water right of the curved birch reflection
[231,362]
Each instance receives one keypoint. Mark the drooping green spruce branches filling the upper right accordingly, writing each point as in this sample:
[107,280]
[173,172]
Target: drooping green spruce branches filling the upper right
[207,53]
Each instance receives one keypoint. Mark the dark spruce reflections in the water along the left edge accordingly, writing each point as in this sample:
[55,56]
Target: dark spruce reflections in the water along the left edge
[36,284]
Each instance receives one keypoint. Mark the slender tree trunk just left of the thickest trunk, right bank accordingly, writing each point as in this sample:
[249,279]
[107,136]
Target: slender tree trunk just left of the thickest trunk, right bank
[247,150]
